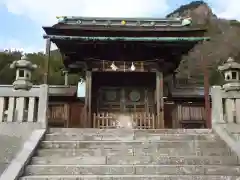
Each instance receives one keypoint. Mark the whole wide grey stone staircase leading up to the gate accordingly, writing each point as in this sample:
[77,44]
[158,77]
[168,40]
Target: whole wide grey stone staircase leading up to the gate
[121,154]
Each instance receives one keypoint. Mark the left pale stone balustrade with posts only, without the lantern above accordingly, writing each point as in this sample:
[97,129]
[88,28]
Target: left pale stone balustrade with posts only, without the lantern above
[24,106]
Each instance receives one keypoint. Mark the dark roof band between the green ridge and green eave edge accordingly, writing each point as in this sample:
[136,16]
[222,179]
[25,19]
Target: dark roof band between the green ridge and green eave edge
[76,30]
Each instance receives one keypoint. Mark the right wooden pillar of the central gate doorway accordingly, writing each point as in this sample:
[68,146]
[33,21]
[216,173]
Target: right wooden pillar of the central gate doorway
[159,100]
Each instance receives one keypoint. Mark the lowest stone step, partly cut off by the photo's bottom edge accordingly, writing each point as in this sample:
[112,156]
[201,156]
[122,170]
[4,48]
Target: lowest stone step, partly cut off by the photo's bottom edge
[130,177]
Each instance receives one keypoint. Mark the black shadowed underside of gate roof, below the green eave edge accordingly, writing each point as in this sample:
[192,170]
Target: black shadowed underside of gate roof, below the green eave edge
[130,51]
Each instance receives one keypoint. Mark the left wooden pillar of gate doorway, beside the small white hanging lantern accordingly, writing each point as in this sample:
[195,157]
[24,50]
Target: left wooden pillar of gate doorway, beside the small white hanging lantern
[88,99]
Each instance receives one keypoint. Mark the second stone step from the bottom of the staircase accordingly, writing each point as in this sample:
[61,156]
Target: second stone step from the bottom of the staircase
[131,170]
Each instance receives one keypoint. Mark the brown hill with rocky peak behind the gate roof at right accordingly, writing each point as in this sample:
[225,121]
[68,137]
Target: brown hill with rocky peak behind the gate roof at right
[225,42]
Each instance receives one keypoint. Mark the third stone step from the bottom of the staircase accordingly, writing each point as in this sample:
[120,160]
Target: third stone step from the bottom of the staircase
[141,160]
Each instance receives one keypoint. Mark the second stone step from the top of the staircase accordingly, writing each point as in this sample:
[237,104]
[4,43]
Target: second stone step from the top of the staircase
[136,136]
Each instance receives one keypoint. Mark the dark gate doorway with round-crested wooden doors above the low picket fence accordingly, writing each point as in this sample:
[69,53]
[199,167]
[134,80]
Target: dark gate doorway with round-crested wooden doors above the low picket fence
[123,92]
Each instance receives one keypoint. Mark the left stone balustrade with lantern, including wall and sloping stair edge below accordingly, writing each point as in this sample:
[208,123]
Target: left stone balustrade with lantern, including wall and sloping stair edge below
[23,120]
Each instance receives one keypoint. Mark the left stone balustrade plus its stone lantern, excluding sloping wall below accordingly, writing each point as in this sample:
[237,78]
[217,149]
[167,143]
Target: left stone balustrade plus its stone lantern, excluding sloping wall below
[23,102]
